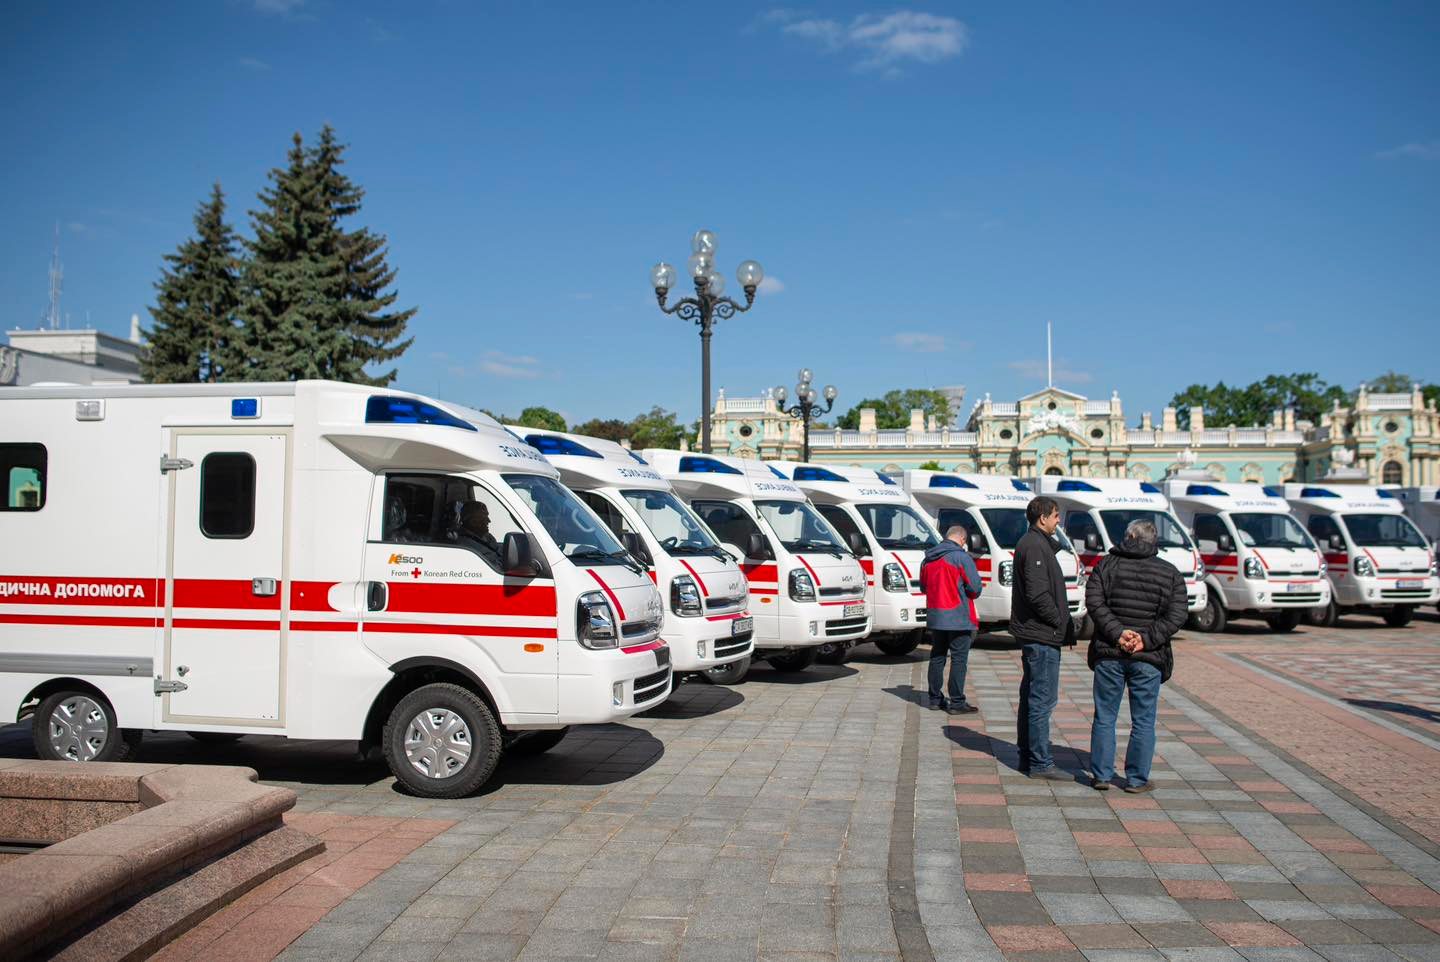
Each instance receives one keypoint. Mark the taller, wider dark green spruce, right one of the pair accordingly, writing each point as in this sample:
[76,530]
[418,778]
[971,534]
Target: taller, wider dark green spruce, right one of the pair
[316,303]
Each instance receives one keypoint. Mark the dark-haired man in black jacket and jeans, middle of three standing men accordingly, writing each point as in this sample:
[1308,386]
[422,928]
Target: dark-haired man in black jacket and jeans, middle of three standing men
[1040,621]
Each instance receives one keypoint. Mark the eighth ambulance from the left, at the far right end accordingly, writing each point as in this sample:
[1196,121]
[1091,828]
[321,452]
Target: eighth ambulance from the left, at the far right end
[1379,561]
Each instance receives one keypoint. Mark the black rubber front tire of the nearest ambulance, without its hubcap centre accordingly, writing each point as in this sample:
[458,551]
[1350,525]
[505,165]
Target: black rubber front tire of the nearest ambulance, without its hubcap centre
[483,737]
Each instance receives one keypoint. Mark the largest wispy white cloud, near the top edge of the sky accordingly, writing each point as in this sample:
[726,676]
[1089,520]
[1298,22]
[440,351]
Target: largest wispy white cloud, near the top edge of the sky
[882,41]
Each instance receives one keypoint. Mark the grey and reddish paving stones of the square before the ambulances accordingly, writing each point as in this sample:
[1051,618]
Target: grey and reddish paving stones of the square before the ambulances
[761,823]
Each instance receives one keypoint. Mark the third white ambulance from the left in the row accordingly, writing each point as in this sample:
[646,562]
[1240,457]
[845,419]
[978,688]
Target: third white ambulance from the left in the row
[807,587]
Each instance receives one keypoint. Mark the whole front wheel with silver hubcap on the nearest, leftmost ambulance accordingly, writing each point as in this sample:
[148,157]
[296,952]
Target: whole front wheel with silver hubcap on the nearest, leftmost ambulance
[443,741]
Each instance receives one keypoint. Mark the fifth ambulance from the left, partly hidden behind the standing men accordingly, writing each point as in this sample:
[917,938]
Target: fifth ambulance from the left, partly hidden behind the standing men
[991,509]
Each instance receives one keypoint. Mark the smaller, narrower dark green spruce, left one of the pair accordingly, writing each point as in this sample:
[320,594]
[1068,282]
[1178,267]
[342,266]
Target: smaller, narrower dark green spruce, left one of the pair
[197,303]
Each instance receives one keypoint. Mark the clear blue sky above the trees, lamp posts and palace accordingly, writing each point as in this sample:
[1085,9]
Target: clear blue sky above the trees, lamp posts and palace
[1187,192]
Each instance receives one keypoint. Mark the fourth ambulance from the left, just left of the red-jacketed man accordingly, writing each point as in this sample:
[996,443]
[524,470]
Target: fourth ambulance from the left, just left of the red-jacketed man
[873,512]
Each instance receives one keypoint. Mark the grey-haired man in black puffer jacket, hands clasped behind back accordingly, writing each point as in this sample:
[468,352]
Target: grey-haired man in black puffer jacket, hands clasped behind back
[1138,603]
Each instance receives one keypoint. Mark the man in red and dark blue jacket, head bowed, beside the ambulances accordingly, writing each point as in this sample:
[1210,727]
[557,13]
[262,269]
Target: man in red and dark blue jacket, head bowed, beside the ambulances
[951,585]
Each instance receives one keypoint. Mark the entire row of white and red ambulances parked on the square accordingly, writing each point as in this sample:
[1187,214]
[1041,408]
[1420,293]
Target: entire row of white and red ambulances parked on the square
[325,561]
